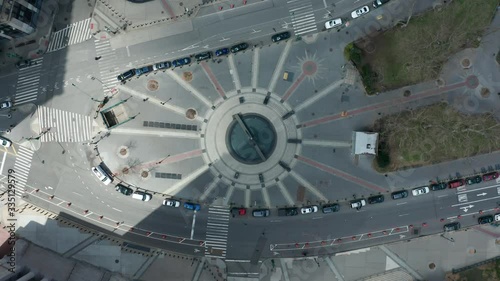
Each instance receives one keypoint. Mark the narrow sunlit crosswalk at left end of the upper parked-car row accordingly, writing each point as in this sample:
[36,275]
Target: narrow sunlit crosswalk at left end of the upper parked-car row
[107,66]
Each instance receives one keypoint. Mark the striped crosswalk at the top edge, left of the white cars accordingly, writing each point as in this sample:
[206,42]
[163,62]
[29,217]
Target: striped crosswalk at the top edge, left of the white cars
[302,14]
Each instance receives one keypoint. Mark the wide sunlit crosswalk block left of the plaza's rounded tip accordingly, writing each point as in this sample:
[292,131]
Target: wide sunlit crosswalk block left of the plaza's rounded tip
[63,126]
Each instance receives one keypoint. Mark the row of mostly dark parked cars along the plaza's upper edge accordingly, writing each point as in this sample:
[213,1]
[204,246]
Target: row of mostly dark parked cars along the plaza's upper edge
[198,57]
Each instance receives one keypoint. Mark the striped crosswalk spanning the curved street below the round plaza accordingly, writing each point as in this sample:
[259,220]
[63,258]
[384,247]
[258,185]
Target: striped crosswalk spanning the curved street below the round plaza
[217,230]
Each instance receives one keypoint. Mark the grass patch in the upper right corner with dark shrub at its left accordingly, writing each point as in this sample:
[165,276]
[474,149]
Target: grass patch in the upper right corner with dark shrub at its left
[417,52]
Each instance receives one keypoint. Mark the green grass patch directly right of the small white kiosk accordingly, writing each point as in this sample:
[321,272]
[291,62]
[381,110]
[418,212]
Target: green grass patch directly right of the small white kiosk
[433,134]
